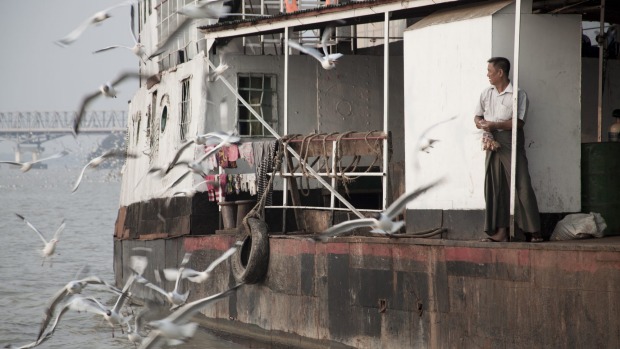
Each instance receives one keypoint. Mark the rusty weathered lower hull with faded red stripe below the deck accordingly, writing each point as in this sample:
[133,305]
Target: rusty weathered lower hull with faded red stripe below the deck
[413,293]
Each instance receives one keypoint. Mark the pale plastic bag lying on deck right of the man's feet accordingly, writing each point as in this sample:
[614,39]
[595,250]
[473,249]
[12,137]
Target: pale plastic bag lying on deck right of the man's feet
[579,226]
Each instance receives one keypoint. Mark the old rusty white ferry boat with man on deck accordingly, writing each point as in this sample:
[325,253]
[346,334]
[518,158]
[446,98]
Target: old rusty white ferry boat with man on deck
[322,146]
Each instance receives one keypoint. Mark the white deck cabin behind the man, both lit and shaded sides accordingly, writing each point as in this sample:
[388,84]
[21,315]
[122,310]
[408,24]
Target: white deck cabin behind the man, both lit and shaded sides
[444,75]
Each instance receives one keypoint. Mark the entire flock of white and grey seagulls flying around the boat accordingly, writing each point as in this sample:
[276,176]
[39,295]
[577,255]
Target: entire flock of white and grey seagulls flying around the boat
[177,327]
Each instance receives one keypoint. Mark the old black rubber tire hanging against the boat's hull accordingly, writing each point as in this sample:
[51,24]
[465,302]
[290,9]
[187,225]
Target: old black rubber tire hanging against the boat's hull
[249,263]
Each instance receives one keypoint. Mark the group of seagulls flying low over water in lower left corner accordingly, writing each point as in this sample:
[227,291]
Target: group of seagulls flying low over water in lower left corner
[176,328]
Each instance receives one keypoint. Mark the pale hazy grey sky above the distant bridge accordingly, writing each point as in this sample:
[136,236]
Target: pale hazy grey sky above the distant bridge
[38,75]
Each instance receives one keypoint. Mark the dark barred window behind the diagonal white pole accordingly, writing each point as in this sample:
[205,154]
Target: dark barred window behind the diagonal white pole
[260,92]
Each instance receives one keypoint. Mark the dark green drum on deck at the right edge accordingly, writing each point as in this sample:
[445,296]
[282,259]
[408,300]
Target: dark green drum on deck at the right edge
[600,182]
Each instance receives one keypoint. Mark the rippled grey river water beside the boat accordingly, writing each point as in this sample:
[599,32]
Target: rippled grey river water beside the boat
[44,198]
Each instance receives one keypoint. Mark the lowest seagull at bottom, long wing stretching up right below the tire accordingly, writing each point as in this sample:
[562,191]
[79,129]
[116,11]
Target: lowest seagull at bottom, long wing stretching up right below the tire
[177,328]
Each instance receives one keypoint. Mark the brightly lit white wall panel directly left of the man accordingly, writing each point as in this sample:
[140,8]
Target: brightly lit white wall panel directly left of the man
[444,73]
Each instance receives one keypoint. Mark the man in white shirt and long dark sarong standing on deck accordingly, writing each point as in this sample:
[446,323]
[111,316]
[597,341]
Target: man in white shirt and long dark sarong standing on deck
[494,116]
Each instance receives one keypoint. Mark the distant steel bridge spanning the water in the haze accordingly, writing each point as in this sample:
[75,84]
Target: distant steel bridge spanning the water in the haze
[28,130]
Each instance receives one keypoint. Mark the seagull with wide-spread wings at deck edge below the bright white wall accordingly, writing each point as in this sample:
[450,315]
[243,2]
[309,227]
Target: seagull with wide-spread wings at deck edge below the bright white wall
[383,223]
